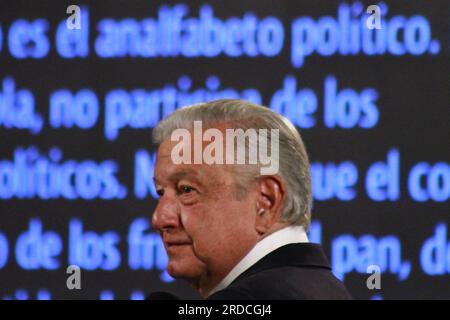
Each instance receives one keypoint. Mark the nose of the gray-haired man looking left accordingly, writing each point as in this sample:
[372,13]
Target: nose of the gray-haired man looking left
[166,215]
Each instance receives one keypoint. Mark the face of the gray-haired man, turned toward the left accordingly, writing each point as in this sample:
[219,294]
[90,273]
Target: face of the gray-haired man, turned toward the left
[205,230]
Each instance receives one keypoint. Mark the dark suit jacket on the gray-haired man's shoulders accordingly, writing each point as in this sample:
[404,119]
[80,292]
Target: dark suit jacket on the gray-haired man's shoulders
[294,271]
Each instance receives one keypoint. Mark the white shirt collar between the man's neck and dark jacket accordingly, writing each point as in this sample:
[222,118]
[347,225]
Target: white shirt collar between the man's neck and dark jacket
[282,237]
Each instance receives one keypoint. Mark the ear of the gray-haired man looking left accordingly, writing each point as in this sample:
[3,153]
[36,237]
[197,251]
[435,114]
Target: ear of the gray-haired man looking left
[269,204]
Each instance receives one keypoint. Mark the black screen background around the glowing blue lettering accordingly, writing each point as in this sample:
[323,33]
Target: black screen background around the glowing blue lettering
[414,117]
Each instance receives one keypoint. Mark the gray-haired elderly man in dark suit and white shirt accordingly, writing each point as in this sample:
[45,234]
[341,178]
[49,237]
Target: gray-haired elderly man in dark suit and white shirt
[232,229]
